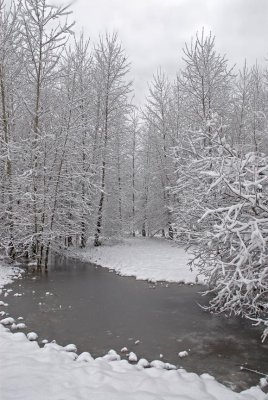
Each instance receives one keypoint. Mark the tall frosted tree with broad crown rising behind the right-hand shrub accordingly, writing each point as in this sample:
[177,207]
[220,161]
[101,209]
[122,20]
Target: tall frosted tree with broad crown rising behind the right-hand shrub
[206,86]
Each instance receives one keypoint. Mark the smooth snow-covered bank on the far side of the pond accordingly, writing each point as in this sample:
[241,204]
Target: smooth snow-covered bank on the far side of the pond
[145,258]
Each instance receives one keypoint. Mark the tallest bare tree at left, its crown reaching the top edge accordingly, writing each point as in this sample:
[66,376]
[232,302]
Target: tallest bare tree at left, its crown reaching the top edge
[44,36]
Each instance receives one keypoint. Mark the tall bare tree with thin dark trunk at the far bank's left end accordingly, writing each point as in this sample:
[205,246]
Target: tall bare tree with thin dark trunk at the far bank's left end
[111,69]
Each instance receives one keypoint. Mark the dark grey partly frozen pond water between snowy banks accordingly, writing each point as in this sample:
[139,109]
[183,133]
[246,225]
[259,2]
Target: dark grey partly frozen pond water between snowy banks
[99,310]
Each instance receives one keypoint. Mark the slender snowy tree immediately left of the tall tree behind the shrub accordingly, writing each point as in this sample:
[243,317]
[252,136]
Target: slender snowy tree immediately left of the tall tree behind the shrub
[161,120]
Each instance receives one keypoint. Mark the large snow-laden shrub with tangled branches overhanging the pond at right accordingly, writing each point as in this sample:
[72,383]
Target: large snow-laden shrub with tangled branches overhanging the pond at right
[232,248]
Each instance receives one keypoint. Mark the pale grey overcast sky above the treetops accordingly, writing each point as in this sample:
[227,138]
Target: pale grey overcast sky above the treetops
[153,32]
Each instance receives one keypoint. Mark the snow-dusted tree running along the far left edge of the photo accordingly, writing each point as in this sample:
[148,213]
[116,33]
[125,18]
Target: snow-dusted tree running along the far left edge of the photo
[9,83]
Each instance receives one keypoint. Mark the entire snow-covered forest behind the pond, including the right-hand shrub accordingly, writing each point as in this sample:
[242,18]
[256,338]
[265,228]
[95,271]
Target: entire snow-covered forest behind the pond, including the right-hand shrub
[80,161]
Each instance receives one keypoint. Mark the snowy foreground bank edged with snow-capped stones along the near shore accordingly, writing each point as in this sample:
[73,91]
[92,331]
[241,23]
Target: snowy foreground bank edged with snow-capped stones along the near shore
[28,372]
